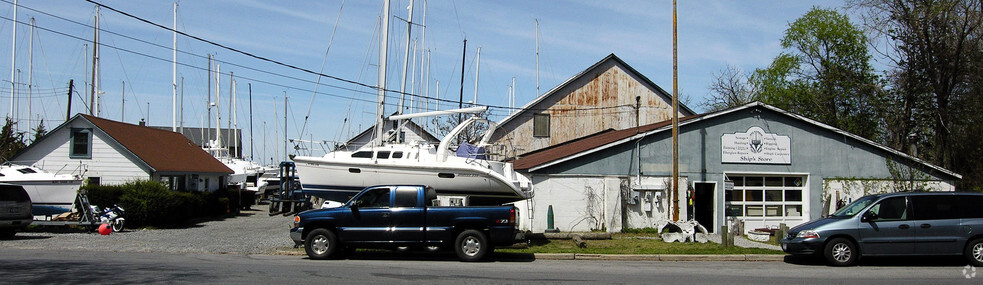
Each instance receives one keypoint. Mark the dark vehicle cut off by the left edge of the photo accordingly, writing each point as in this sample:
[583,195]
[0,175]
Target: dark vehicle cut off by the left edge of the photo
[15,209]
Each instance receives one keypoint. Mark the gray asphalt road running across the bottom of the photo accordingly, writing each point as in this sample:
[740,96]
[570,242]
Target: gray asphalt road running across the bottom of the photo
[38,266]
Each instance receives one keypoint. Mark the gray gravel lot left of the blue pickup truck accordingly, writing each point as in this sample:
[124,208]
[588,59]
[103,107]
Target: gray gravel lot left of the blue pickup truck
[251,232]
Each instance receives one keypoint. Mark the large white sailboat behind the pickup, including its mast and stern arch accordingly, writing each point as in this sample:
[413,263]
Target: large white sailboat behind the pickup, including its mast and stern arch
[467,175]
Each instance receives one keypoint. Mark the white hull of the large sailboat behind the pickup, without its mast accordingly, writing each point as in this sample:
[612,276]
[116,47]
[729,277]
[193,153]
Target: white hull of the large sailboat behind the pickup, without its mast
[337,176]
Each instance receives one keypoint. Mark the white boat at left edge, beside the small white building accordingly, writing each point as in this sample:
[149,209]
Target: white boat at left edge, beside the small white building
[51,194]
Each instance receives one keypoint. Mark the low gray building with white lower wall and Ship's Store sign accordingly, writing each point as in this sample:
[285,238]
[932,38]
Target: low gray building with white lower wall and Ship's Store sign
[755,163]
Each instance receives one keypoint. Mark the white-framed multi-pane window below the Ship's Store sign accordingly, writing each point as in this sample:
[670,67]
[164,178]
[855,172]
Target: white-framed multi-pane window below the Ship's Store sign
[766,196]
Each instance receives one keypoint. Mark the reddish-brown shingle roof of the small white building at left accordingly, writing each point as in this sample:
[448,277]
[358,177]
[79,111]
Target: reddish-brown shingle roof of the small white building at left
[162,150]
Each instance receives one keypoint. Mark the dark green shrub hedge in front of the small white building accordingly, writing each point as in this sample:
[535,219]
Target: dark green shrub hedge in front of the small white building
[150,203]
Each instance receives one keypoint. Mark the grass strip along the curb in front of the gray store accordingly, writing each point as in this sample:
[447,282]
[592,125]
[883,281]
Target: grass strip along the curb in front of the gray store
[634,243]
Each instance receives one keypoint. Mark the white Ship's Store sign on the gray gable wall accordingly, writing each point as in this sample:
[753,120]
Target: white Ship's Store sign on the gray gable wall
[756,146]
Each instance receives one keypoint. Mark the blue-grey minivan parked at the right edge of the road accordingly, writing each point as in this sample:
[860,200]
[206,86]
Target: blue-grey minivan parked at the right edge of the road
[908,223]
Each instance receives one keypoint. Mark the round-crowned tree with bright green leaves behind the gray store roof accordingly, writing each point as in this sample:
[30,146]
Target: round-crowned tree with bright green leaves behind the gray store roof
[824,74]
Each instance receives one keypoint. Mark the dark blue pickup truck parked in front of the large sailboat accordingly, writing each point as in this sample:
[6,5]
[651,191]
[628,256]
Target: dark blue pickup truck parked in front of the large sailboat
[404,216]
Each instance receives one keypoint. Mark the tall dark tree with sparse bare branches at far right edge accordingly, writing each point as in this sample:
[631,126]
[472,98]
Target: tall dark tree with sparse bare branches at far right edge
[935,47]
